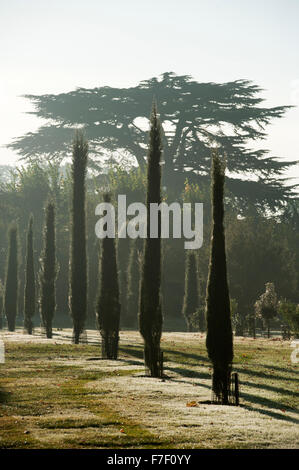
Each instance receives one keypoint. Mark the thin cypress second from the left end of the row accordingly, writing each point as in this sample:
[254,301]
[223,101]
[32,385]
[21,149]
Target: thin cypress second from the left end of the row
[29,291]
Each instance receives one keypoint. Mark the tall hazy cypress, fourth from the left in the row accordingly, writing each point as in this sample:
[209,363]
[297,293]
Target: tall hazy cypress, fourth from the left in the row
[78,287]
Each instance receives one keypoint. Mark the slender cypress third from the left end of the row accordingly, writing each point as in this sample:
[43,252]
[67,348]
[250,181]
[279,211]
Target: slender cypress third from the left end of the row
[48,271]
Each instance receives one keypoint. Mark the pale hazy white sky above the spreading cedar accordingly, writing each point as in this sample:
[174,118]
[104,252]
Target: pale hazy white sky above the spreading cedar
[52,46]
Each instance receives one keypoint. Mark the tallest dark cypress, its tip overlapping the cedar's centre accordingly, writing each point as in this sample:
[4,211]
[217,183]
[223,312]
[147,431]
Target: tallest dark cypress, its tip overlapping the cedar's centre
[150,307]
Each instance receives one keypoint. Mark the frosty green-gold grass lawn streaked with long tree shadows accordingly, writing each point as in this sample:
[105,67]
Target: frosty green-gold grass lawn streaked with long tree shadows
[54,394]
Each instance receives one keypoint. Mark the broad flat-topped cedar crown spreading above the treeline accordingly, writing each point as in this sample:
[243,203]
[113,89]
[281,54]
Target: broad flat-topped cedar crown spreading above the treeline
[230,113]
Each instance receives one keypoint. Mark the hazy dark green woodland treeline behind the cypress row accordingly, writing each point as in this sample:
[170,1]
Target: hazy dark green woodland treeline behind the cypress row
[261,247]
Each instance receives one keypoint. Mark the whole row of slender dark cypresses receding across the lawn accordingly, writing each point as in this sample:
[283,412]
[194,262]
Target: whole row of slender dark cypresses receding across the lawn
[219,332]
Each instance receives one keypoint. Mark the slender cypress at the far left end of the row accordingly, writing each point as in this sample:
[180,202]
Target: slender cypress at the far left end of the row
[12,280]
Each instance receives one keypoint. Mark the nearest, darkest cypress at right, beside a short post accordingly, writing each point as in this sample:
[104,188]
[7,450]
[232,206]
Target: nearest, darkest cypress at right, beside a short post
[219,340]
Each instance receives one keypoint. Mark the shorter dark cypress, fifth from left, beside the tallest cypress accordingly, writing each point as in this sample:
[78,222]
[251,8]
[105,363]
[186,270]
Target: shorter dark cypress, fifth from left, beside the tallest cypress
[108,308]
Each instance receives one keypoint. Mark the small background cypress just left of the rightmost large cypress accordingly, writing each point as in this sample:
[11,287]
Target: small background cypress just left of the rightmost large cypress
[191,299]
